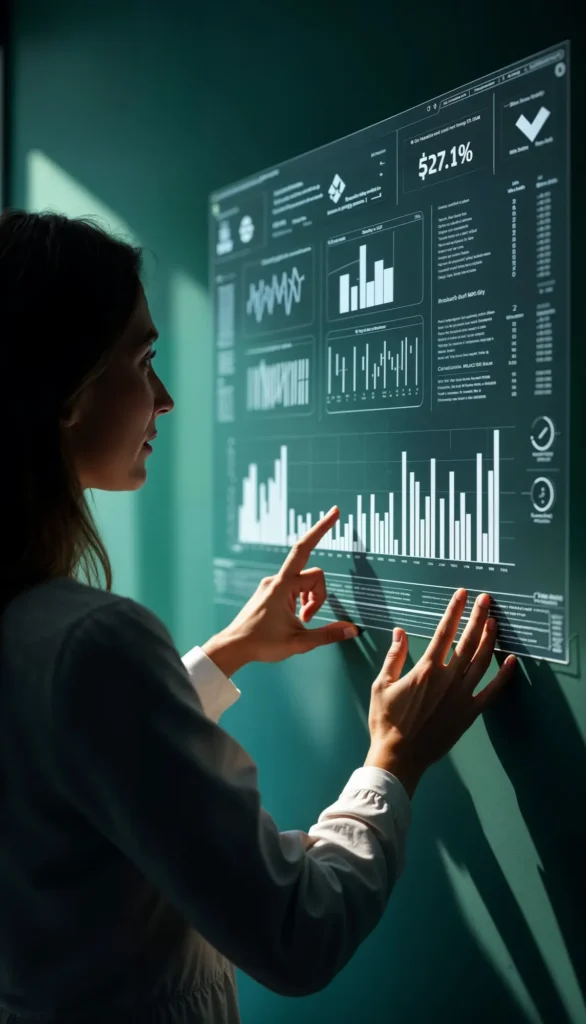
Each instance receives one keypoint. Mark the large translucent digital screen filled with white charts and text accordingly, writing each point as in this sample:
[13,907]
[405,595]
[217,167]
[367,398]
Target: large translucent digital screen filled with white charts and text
[392,331]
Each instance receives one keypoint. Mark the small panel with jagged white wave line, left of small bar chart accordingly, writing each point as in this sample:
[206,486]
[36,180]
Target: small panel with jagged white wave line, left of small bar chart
[279,292]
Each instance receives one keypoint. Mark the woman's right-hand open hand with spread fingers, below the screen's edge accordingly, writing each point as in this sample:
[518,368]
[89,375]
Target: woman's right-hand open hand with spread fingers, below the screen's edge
[415,720]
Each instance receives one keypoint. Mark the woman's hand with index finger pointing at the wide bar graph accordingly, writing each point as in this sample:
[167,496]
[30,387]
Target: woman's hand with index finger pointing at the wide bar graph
[269,628]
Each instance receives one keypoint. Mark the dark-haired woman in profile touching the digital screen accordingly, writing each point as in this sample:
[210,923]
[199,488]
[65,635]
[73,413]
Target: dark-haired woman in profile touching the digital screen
[137,864]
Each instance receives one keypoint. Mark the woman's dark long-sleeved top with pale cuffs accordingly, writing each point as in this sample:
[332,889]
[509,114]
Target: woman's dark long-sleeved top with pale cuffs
[137,865]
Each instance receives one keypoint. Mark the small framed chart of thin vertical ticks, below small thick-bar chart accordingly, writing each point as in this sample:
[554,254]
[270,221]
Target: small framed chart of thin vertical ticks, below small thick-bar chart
[376,370]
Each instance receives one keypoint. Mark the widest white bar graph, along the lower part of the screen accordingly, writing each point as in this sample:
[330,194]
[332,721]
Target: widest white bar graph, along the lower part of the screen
[426,520]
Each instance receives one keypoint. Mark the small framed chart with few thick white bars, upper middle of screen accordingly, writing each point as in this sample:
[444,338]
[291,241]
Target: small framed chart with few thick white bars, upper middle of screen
[375,269]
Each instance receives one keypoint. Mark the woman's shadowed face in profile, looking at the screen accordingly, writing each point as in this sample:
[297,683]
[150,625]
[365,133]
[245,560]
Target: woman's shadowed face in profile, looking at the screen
[117,413]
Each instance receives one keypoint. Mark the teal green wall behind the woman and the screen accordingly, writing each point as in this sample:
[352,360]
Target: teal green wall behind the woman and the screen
[134,111]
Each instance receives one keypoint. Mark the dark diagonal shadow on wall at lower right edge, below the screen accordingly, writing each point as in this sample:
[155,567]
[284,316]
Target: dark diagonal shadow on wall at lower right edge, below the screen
[537,741]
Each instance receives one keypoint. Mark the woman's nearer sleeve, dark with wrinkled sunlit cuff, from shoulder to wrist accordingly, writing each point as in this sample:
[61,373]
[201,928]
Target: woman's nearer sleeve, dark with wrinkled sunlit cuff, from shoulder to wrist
[137,755]
